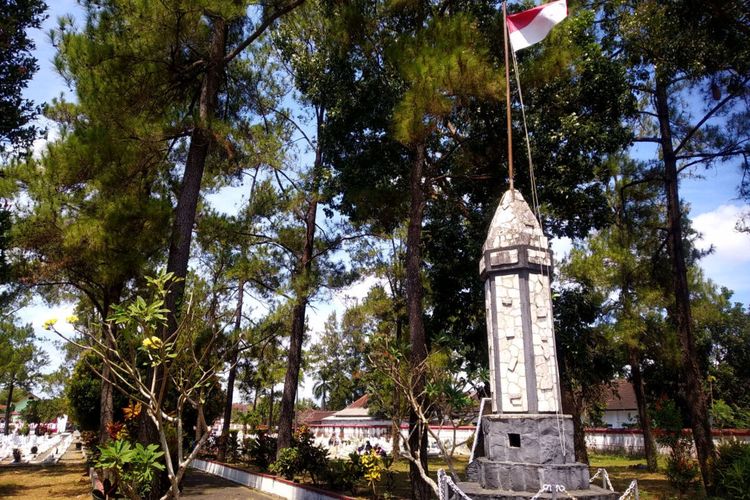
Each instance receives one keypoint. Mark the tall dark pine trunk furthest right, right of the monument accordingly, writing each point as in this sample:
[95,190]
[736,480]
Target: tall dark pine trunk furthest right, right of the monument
[694,393]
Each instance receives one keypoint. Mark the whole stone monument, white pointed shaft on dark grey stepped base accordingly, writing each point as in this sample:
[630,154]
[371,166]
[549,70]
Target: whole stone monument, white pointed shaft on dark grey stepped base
[526,442]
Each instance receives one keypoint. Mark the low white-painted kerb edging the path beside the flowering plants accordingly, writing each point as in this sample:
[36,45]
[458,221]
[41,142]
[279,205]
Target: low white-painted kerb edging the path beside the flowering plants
[266,483]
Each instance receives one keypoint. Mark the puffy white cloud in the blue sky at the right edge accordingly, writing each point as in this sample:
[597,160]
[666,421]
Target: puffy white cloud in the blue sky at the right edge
[718,228]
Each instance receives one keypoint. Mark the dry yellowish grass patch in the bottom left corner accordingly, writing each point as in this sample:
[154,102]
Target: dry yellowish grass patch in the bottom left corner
[40,482]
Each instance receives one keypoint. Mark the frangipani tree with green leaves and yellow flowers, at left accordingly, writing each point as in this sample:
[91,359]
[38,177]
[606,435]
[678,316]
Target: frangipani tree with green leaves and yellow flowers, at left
[188,368]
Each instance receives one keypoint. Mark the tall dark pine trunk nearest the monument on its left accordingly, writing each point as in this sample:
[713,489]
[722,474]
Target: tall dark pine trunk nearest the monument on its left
[418,341]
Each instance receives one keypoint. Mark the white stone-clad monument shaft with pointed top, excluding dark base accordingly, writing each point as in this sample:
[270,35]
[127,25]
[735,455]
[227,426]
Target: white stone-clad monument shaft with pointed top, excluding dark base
[516,264]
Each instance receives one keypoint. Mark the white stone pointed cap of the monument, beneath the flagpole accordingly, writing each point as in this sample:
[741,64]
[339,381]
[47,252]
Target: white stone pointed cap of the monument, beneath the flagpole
[514,224]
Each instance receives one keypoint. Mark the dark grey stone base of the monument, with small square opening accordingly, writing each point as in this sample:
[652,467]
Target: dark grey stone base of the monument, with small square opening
[520,453]
